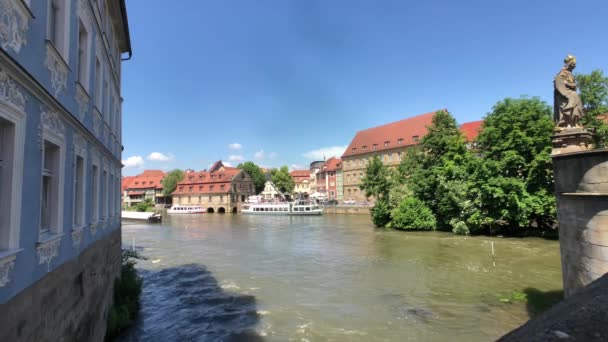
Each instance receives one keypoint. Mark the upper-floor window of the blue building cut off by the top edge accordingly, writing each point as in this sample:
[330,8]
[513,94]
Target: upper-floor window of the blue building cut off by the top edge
[59,25]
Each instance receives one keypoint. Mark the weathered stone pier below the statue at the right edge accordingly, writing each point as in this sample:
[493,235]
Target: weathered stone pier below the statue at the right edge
[581,186]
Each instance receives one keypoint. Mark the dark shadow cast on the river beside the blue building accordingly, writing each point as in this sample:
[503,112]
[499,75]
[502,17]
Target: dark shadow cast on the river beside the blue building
[185,303]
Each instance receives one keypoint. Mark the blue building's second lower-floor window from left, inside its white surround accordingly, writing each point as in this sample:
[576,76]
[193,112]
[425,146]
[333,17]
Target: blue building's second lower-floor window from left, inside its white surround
[49,205]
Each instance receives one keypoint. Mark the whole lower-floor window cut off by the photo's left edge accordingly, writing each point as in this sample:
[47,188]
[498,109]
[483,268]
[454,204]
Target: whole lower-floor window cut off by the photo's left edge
[11,163]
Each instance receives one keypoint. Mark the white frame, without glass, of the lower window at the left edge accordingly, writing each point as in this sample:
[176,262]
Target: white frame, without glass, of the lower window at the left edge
[12,205]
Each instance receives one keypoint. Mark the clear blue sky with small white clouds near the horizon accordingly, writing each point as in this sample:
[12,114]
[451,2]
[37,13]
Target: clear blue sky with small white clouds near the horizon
[282,82]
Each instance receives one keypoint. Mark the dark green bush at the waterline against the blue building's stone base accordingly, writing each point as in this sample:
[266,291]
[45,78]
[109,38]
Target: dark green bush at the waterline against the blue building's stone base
[127,292]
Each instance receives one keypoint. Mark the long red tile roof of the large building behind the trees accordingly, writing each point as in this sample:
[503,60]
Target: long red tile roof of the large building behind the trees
[391,135]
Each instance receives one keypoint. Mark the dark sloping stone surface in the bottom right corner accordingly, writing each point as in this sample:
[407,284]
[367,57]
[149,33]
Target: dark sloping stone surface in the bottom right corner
[581,317]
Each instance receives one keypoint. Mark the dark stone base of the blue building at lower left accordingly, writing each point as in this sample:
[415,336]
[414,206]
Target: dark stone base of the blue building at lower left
[71,302]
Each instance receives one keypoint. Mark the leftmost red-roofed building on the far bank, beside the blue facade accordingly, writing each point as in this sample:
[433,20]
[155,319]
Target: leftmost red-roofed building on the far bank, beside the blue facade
[145,186]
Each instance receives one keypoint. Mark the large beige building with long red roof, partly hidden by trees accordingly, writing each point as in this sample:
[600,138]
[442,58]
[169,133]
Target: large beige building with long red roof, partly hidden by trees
[389,142]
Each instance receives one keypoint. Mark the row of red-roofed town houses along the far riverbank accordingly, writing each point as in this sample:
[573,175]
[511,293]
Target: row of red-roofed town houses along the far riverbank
[223,188]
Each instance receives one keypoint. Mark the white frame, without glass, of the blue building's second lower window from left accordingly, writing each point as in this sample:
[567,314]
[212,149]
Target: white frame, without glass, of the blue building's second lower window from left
[57,226]
